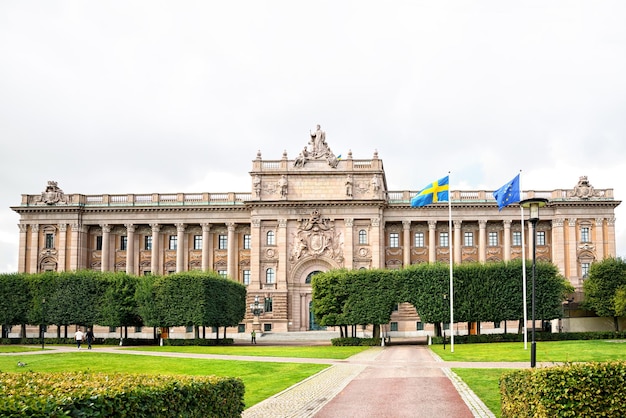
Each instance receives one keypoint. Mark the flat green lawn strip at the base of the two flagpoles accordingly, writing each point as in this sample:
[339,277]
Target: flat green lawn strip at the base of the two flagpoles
[548,351]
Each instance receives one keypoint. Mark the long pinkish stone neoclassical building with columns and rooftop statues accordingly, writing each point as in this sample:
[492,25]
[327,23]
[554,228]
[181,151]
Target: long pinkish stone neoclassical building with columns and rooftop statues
[311,214]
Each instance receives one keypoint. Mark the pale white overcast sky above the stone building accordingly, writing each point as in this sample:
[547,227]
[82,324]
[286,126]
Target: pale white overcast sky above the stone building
[178,96]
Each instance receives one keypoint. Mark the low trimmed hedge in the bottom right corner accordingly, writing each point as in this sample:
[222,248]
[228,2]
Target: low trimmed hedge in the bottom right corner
[577,390]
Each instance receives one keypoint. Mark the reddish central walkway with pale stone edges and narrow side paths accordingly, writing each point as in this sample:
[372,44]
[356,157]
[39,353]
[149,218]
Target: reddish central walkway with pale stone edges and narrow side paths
[393,381]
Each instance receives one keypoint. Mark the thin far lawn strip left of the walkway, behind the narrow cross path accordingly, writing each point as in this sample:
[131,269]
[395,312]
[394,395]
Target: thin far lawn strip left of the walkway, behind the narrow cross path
[330,352]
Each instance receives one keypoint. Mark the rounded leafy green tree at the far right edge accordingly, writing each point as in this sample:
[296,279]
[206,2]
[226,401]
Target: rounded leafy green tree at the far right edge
[606,277]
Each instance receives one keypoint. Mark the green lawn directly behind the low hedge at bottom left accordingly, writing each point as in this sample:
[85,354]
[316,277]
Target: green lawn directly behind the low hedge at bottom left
[261,379]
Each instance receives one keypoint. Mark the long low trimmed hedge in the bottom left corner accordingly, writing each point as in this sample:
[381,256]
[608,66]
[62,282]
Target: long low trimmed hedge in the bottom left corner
[97,394]
